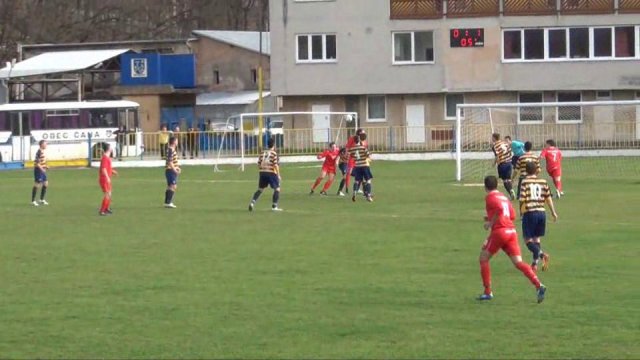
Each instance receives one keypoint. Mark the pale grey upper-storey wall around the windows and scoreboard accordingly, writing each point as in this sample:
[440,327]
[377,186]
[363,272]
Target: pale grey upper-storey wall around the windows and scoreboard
[364,54]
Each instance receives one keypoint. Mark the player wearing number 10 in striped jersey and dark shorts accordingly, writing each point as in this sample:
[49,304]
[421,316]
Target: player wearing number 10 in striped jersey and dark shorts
[534,194]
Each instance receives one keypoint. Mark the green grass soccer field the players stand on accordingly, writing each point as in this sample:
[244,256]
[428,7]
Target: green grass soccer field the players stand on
[326,278]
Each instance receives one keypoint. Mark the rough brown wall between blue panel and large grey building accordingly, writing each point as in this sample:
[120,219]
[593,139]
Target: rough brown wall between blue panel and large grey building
[234,65]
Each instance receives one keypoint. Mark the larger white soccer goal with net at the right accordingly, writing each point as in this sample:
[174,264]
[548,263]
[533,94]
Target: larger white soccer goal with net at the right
[597,138]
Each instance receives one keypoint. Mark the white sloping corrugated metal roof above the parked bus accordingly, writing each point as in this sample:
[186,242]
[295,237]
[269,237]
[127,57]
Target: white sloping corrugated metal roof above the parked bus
[59,62]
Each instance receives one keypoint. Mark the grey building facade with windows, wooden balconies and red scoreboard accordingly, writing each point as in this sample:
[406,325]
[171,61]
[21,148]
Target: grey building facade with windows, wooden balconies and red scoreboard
[410,62]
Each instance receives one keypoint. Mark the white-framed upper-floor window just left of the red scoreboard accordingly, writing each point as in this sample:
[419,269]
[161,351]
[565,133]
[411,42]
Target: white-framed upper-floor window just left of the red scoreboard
[413,47]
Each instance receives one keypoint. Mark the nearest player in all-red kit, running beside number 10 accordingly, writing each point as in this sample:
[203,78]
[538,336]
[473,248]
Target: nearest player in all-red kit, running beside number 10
[500,216]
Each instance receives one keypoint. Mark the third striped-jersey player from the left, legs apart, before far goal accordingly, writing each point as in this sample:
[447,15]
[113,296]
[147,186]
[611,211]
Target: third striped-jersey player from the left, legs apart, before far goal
[268,163]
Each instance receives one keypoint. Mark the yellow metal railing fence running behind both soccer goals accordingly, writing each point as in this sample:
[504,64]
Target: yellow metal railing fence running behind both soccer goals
[398,139]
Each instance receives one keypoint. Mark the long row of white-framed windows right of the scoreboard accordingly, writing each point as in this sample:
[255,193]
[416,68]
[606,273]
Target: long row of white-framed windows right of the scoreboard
[571,43]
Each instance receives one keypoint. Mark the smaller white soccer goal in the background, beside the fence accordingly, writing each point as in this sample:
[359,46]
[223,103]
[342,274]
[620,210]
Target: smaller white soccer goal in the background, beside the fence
[294,133]
